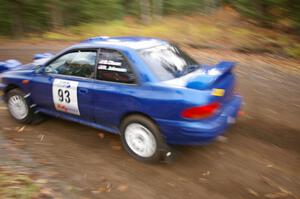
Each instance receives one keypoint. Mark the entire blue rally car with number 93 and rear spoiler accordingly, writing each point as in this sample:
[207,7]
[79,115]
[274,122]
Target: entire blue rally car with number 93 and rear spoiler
[145,89]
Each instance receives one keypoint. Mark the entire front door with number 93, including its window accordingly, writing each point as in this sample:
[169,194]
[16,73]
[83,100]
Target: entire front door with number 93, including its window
[64,84]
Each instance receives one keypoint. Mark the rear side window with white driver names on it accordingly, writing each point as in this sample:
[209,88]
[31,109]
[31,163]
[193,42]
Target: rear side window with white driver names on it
[113,66]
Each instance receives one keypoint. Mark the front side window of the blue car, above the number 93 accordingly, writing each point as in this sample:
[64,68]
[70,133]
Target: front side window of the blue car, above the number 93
[77,63]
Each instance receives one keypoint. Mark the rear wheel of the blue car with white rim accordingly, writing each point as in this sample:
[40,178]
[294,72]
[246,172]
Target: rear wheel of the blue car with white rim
[139,133]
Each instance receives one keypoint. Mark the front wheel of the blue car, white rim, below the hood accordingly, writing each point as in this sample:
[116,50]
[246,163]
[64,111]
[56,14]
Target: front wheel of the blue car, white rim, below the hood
[19,108]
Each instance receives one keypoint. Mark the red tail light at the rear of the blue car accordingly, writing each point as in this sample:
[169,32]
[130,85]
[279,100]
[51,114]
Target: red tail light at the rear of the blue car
[199,112]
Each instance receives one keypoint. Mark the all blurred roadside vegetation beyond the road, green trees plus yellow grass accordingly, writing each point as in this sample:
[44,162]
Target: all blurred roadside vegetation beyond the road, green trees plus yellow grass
[271,26]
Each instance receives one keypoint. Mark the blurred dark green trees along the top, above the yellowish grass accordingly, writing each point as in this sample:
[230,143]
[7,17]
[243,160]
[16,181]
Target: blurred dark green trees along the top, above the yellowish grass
[18,17]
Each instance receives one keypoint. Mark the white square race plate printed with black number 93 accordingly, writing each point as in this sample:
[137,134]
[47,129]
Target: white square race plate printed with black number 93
[65,96]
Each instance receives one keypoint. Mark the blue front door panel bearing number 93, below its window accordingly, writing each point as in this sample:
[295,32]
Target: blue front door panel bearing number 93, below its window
[64,94]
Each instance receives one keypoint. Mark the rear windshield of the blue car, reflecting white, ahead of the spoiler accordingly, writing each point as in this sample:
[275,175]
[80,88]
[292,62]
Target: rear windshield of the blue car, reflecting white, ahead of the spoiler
[168,62]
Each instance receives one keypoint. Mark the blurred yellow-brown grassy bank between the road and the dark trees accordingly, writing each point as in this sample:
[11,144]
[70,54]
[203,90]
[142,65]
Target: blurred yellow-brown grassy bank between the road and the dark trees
[196,30]
